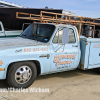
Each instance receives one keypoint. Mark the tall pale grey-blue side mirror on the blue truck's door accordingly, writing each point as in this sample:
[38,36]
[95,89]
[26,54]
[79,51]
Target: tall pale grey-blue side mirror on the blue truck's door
[65,36]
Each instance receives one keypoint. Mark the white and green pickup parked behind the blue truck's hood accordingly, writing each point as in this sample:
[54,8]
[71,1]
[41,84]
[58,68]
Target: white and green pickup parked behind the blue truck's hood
[8,32]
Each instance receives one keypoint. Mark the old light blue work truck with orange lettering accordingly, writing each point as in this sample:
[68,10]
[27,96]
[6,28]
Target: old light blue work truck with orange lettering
[45,48]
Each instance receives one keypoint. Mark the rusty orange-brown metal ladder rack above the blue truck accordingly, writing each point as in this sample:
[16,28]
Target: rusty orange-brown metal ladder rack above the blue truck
[58,18]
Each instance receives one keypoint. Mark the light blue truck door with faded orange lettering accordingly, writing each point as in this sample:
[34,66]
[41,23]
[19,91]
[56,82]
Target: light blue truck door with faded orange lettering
[64,56]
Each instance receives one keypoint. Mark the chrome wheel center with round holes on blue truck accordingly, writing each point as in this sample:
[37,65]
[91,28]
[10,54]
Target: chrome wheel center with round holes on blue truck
[23,74]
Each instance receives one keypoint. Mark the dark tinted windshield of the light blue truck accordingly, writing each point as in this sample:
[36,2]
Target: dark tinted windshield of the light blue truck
[39,32]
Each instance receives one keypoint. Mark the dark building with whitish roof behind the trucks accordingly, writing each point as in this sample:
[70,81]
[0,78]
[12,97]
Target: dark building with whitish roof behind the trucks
[8,14]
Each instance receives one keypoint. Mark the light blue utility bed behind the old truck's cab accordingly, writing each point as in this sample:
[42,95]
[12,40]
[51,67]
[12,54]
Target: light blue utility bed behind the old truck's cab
[90,53]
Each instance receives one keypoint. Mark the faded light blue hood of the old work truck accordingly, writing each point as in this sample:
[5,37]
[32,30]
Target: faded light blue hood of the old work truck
[9,43]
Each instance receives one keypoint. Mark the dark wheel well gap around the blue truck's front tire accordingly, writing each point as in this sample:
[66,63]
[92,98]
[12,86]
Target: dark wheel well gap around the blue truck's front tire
[37,63]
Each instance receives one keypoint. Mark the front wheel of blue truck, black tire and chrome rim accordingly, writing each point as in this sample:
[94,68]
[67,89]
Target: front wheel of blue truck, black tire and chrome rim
[21,74]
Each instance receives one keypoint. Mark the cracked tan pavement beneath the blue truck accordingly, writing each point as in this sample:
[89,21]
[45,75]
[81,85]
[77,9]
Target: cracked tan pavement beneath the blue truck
[71,85]
